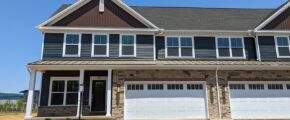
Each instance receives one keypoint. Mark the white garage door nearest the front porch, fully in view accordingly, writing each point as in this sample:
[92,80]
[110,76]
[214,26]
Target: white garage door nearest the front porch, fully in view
[165,100]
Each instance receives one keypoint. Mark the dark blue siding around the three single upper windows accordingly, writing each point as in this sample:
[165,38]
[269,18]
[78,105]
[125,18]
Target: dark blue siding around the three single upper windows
[53,48]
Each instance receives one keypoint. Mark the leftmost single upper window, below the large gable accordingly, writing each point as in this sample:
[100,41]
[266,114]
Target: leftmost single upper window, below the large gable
[72,45]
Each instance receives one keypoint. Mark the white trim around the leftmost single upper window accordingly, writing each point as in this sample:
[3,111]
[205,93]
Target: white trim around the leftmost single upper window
[64,45]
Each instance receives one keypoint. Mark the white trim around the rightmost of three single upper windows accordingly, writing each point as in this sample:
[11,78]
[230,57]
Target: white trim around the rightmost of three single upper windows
[121,45]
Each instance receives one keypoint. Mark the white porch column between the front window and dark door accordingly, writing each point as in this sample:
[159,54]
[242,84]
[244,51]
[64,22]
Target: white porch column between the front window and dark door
[81,89]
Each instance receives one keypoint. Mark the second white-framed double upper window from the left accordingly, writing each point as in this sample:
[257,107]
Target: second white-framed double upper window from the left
[230,47]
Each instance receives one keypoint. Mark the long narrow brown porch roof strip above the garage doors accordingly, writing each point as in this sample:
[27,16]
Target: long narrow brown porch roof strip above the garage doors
[175,62]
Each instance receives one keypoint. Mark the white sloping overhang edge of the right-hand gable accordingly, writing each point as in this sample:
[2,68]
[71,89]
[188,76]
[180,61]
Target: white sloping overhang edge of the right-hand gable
[273,16]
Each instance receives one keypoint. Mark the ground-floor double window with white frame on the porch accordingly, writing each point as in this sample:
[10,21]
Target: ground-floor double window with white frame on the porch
[64,91]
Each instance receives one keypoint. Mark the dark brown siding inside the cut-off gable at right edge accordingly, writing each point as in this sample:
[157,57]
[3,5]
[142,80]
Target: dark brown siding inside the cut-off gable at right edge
[282,22]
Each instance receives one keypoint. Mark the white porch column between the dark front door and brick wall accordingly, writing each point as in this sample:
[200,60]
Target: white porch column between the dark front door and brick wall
[109,92]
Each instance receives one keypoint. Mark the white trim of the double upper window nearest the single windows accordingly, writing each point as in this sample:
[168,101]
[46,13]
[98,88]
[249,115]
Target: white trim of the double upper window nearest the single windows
[179,47]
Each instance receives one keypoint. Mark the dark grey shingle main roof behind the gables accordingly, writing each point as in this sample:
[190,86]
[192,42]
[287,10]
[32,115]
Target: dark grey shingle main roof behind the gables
[186,18]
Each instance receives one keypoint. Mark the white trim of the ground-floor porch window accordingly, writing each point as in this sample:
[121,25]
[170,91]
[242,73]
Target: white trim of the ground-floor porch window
[65,88]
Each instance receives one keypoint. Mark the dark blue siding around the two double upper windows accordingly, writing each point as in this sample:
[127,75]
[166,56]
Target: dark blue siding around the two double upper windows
[205,48]
